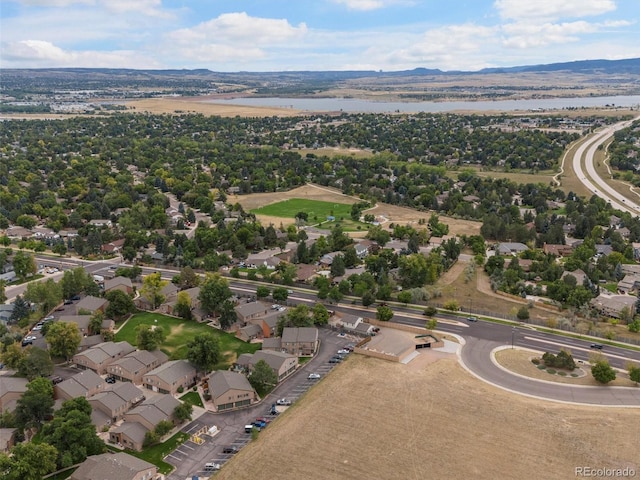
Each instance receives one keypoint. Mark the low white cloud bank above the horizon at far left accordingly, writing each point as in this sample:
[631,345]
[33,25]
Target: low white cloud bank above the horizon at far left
[40,54]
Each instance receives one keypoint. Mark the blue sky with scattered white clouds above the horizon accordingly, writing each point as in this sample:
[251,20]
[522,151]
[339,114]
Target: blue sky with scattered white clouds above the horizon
[280,35]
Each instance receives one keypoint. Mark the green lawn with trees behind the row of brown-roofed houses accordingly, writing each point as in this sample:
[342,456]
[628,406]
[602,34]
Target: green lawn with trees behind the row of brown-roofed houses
[180,331]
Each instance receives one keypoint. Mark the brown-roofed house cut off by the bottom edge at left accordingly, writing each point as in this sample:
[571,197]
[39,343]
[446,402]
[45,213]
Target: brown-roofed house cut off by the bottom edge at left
[111,466]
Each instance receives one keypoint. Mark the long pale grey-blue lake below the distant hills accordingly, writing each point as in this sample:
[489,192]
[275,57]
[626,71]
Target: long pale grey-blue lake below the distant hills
[352,105]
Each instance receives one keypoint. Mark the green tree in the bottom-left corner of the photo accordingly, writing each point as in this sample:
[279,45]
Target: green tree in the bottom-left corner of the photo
[29,461]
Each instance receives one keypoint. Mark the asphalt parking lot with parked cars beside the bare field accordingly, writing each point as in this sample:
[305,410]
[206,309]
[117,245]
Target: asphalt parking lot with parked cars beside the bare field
[192,459]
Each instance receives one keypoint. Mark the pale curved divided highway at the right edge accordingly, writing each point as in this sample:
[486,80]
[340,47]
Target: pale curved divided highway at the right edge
[591,179]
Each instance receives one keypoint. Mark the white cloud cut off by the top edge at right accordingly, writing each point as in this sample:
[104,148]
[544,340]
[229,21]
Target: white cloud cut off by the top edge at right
[552,9]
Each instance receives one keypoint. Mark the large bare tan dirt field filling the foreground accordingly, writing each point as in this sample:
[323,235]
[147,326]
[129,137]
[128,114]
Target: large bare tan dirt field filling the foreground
[371,419]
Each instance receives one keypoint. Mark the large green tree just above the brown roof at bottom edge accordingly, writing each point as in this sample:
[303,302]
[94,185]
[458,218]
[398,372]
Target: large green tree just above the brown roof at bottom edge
[72,433]
